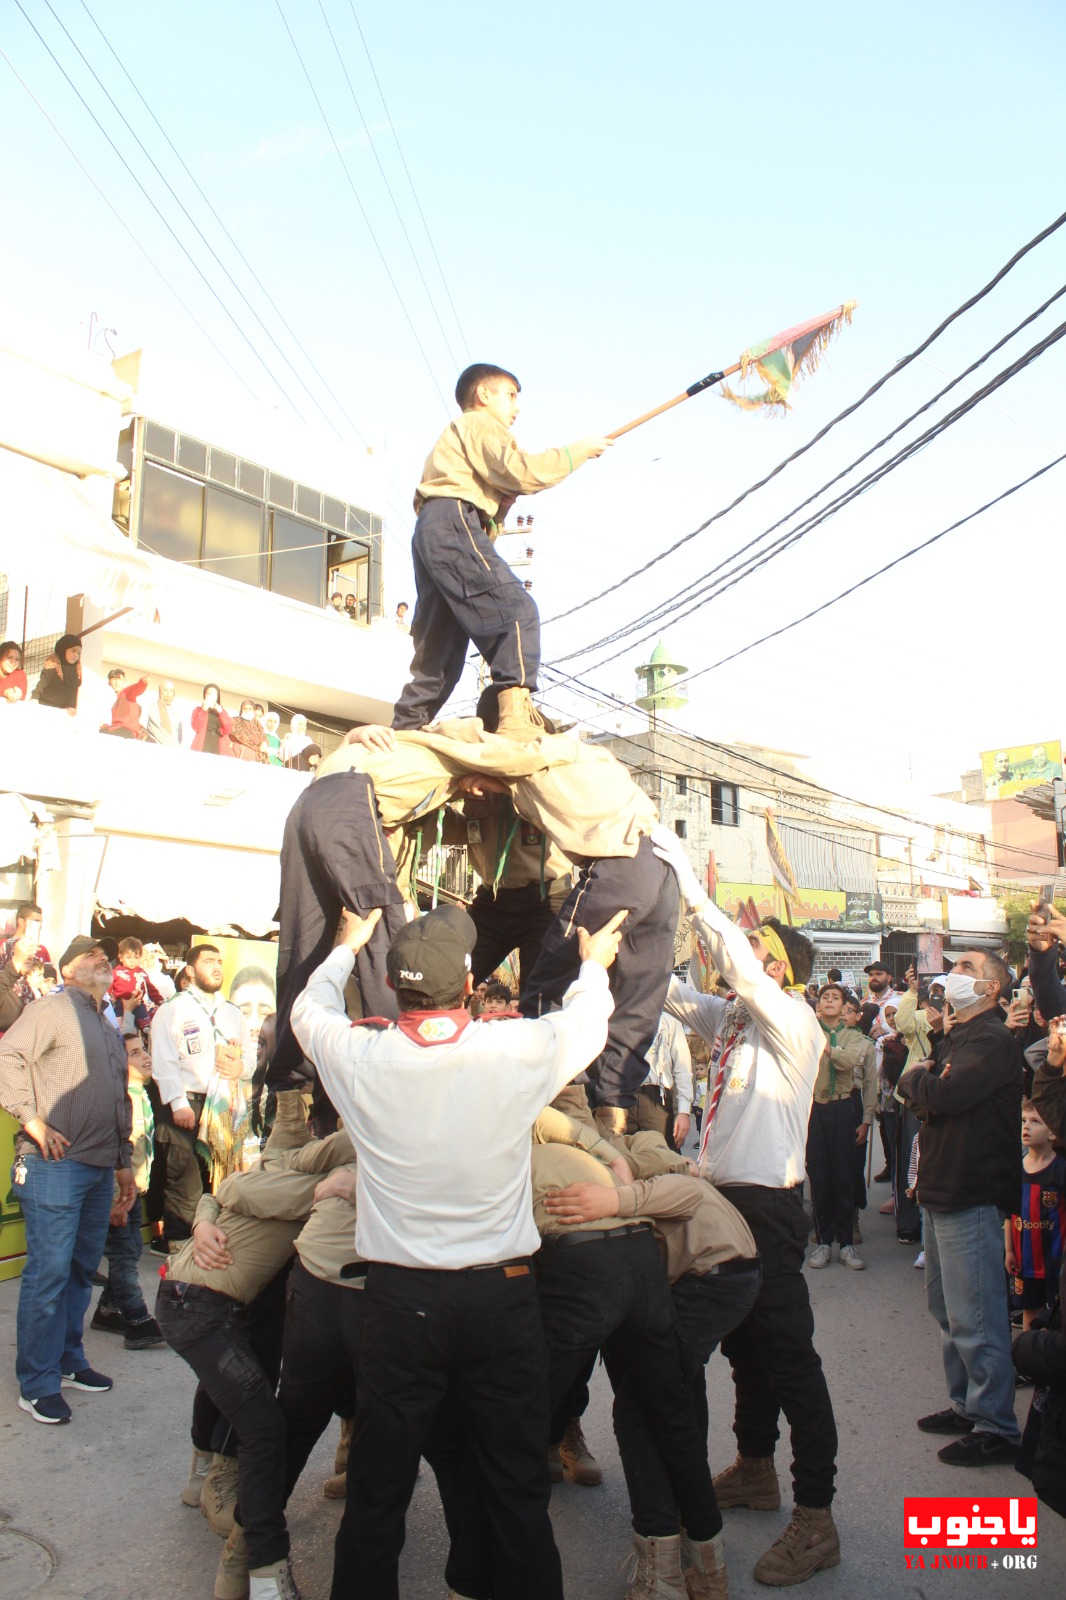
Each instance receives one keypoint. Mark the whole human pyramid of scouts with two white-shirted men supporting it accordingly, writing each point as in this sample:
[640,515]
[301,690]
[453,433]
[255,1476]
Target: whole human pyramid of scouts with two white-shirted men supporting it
[451,1220]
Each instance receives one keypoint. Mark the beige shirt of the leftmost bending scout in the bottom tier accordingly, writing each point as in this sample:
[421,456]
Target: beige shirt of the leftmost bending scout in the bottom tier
[262,1214]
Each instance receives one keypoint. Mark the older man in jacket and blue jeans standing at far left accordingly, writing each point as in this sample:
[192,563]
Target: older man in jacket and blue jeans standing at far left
[63,1074]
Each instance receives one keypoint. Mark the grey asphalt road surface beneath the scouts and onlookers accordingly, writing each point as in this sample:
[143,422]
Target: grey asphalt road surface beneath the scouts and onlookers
[92,1511]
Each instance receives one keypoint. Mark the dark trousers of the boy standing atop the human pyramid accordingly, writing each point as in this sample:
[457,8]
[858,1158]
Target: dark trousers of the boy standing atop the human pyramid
[467,593]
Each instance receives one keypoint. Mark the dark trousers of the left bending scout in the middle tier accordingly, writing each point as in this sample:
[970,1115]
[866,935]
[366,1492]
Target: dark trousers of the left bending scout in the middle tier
[334,857]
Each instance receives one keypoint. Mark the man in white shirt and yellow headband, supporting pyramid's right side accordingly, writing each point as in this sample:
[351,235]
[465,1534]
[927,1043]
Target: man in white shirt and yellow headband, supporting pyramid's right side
[766,1050]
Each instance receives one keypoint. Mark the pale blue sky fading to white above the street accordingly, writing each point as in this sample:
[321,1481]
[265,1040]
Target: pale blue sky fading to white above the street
[623,199]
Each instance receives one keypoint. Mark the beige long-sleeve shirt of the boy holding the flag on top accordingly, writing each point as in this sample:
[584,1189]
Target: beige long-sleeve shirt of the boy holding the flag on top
[478,460]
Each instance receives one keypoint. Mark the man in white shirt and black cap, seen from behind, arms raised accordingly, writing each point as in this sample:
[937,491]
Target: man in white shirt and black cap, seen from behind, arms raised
[441,1111]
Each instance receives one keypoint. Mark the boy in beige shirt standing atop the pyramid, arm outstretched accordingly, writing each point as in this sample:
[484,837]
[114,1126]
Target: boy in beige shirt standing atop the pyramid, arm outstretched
[467,593]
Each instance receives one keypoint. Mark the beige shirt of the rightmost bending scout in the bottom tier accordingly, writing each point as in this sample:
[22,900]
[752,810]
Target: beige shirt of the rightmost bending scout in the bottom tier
[697,1223]
